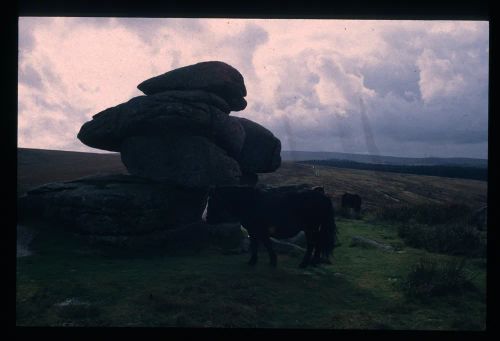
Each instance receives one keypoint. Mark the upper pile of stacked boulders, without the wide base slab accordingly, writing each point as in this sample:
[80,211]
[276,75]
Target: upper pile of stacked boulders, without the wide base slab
[181,131]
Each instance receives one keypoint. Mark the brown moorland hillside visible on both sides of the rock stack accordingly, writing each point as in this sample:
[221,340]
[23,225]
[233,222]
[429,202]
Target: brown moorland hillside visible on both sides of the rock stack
[378,189]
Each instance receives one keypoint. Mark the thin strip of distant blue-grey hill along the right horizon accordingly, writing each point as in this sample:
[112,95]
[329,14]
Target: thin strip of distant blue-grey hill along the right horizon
[385,160]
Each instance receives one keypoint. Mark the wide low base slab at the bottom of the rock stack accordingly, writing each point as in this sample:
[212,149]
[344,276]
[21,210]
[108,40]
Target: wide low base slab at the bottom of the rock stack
[113,205]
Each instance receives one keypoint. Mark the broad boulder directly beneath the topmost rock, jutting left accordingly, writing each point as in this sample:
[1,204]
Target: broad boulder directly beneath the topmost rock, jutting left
[160,115]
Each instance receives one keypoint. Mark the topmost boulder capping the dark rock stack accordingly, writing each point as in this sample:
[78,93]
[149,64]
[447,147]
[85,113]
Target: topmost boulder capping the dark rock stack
[214,76]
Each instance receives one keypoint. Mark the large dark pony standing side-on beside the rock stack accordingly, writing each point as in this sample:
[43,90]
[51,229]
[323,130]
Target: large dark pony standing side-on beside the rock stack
[281,215]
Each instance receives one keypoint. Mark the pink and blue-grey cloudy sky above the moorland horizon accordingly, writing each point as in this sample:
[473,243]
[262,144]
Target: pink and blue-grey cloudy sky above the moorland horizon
[401,88]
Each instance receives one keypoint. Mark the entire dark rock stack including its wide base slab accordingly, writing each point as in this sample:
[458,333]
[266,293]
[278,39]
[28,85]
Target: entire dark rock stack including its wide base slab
[175,141]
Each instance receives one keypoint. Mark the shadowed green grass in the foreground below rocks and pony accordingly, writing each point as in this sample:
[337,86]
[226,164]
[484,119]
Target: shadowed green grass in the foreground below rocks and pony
[66,283]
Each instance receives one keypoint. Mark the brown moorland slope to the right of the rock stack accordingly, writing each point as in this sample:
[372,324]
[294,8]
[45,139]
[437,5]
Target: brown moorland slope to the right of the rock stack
[381,189]
